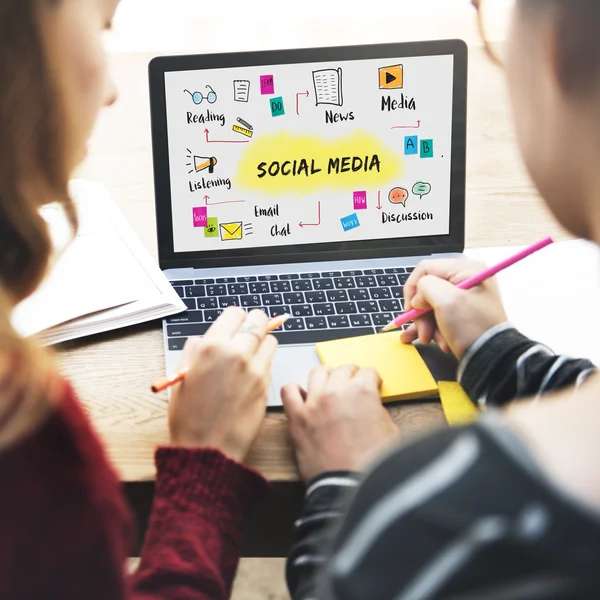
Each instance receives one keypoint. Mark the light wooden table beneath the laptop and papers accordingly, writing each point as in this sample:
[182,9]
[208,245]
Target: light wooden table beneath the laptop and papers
[112,372]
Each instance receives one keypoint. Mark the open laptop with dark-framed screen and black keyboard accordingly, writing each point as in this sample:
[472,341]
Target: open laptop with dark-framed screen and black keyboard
[306,181]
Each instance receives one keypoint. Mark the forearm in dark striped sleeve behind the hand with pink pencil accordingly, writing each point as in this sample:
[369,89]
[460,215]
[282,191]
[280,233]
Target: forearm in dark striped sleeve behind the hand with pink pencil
[504,365]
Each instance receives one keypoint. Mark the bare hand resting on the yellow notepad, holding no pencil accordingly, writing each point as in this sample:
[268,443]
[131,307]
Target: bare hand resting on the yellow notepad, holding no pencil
[341,424]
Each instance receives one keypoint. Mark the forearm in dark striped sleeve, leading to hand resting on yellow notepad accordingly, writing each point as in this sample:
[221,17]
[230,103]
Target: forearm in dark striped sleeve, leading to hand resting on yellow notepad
[327,497]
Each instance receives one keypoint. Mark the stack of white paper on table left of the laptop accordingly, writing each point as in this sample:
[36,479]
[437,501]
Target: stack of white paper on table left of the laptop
[103,280]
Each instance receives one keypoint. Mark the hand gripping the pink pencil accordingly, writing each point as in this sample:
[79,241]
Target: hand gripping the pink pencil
[460,316]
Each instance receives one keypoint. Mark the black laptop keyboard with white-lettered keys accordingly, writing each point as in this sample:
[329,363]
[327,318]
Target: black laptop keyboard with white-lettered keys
[324,305]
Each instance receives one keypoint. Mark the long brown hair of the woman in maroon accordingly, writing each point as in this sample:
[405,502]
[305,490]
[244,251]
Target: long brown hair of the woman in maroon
[33,172]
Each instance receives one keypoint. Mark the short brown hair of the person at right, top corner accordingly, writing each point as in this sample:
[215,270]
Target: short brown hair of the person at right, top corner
[577,22]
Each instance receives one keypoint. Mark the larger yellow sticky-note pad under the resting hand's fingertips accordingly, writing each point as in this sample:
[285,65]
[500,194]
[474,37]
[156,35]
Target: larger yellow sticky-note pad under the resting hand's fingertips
[404,373]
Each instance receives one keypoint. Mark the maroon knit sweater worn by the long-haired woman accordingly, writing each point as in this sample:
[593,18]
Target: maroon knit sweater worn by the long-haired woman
[65,530]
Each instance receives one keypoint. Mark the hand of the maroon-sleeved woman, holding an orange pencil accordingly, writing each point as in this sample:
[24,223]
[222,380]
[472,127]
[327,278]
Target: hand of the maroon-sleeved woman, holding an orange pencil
[221,403]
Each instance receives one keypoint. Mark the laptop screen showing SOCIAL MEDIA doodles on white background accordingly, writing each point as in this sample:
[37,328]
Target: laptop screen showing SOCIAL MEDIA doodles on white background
[308,153]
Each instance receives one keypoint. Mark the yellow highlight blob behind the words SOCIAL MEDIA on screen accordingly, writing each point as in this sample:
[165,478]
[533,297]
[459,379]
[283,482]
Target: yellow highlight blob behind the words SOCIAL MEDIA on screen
[310,163]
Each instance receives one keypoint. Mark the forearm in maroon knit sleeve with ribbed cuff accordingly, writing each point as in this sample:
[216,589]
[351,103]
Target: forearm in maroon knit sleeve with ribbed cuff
[192,547]
